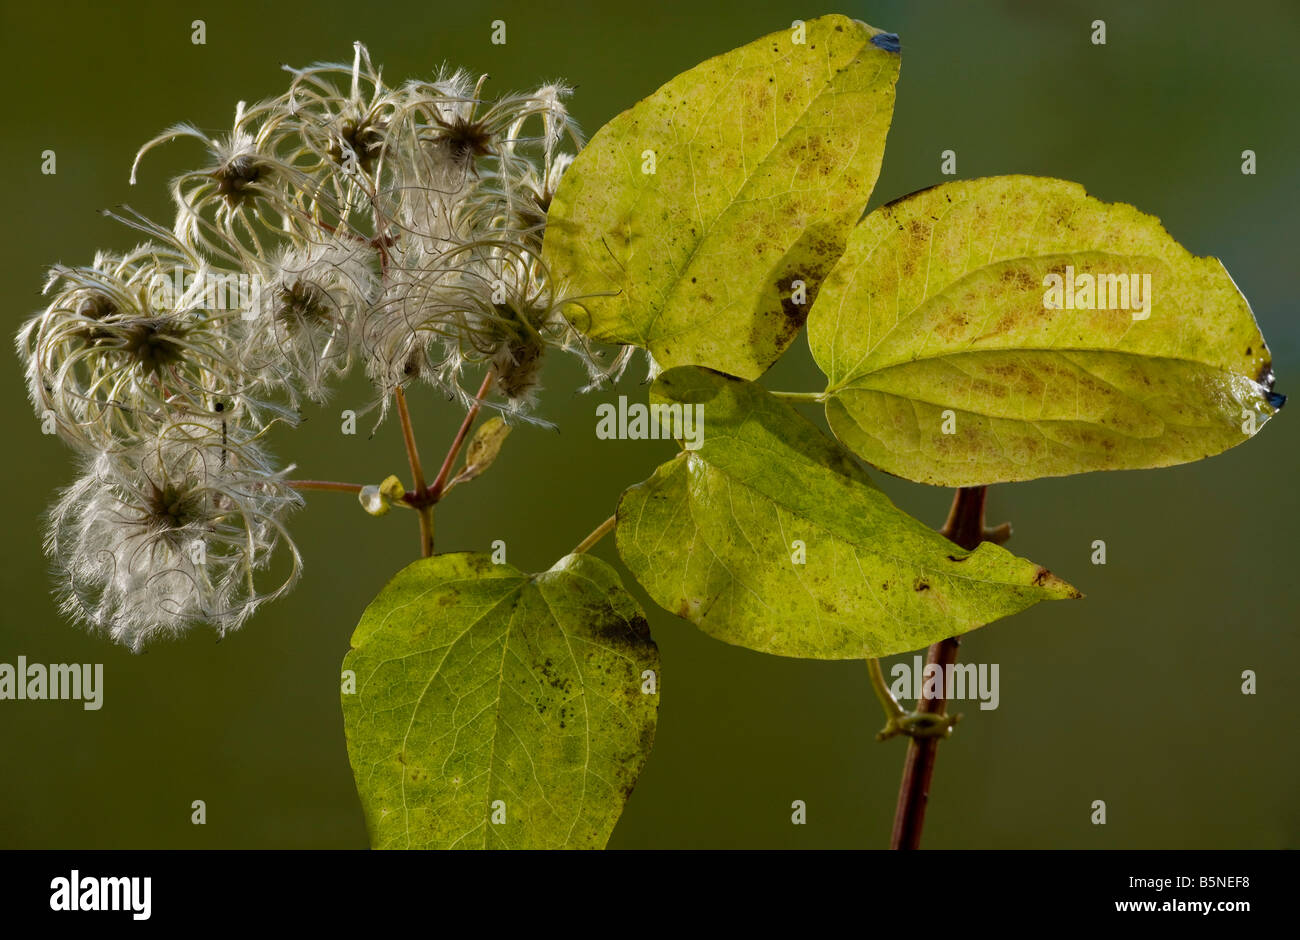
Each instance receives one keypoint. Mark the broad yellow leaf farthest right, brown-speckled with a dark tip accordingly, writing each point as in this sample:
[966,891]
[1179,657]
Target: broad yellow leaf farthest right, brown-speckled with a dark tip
[948,363]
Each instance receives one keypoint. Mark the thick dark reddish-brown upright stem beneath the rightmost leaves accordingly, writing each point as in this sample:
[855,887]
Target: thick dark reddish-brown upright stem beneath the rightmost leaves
[965,527]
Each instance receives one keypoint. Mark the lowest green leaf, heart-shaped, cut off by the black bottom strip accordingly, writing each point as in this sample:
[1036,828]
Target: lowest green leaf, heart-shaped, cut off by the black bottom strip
[496,709]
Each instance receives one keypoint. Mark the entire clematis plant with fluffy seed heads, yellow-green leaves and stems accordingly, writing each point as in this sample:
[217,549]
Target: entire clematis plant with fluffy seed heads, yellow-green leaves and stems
[973,333]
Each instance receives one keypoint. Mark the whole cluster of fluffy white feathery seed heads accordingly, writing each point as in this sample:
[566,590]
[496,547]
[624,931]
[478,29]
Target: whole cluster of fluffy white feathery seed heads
[344,223]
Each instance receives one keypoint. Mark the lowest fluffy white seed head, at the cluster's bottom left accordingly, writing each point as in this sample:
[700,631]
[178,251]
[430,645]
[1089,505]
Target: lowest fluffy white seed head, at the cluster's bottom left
[175,532]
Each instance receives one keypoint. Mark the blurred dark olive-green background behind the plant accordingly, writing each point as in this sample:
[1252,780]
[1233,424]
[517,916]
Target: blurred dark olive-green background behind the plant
[1132,696]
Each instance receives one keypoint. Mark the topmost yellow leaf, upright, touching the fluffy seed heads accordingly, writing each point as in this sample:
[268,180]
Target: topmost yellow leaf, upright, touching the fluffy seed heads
[695,214]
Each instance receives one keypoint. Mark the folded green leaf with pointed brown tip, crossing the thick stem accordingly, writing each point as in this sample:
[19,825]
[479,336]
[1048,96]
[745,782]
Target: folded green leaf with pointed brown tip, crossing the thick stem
[770,536]
